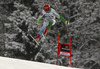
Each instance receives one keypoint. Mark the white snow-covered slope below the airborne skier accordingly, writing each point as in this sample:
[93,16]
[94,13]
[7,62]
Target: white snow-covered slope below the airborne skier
[9,63]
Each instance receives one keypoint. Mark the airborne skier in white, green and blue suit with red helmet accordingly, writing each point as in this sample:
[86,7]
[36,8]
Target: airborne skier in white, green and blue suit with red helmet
[49,14]
